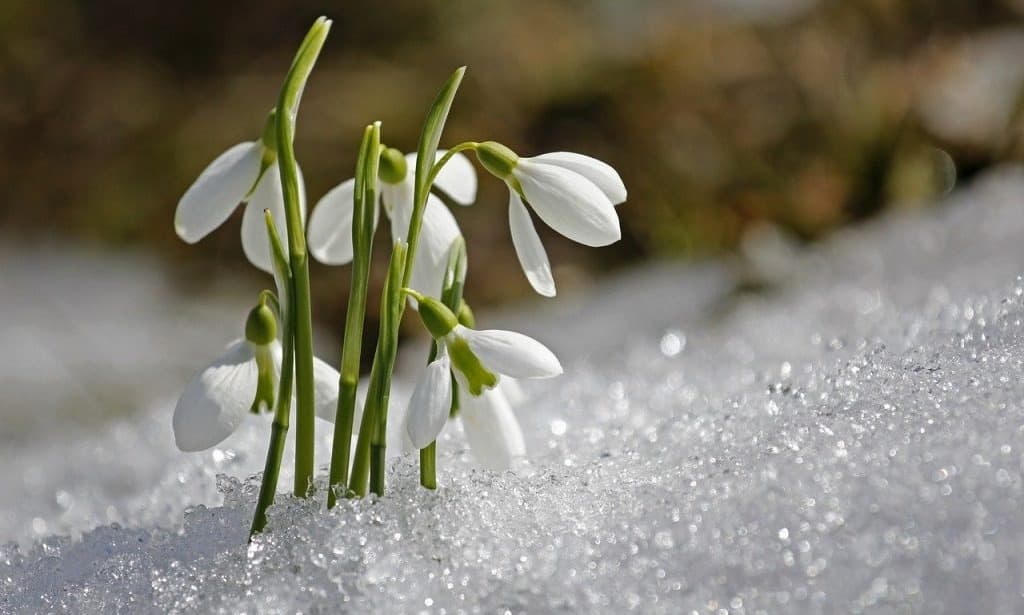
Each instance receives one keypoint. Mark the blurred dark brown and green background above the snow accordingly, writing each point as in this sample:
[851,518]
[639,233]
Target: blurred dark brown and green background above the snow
[730,120]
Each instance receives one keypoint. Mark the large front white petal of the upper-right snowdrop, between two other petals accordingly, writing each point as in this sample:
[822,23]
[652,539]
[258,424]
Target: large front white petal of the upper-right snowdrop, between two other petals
[569,203]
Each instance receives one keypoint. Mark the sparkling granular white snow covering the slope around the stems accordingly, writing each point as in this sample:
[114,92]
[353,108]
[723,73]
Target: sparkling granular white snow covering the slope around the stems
[851,442]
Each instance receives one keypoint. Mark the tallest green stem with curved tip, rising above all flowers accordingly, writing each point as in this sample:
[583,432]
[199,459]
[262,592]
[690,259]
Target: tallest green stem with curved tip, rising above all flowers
[288,106]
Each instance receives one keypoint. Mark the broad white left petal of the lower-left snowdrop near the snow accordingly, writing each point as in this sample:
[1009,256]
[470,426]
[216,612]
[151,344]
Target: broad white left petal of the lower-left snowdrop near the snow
[217,402]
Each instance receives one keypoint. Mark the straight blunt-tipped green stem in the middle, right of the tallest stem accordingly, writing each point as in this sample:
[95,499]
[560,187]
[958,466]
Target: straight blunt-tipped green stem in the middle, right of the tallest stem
[363,238]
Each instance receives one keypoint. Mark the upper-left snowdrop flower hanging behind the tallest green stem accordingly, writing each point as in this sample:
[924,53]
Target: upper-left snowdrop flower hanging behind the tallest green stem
[246,173]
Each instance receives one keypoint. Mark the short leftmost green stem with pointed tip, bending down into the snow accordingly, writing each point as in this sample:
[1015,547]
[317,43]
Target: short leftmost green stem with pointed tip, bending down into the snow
[279,429]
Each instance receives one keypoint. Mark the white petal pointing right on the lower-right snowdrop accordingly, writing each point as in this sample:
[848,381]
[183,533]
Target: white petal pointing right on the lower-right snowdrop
[510,354]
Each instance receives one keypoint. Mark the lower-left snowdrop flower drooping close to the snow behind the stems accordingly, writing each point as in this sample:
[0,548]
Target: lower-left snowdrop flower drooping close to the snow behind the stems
[244,379]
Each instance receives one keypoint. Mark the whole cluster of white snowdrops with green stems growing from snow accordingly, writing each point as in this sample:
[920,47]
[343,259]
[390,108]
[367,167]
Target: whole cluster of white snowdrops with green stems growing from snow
[473,374]
